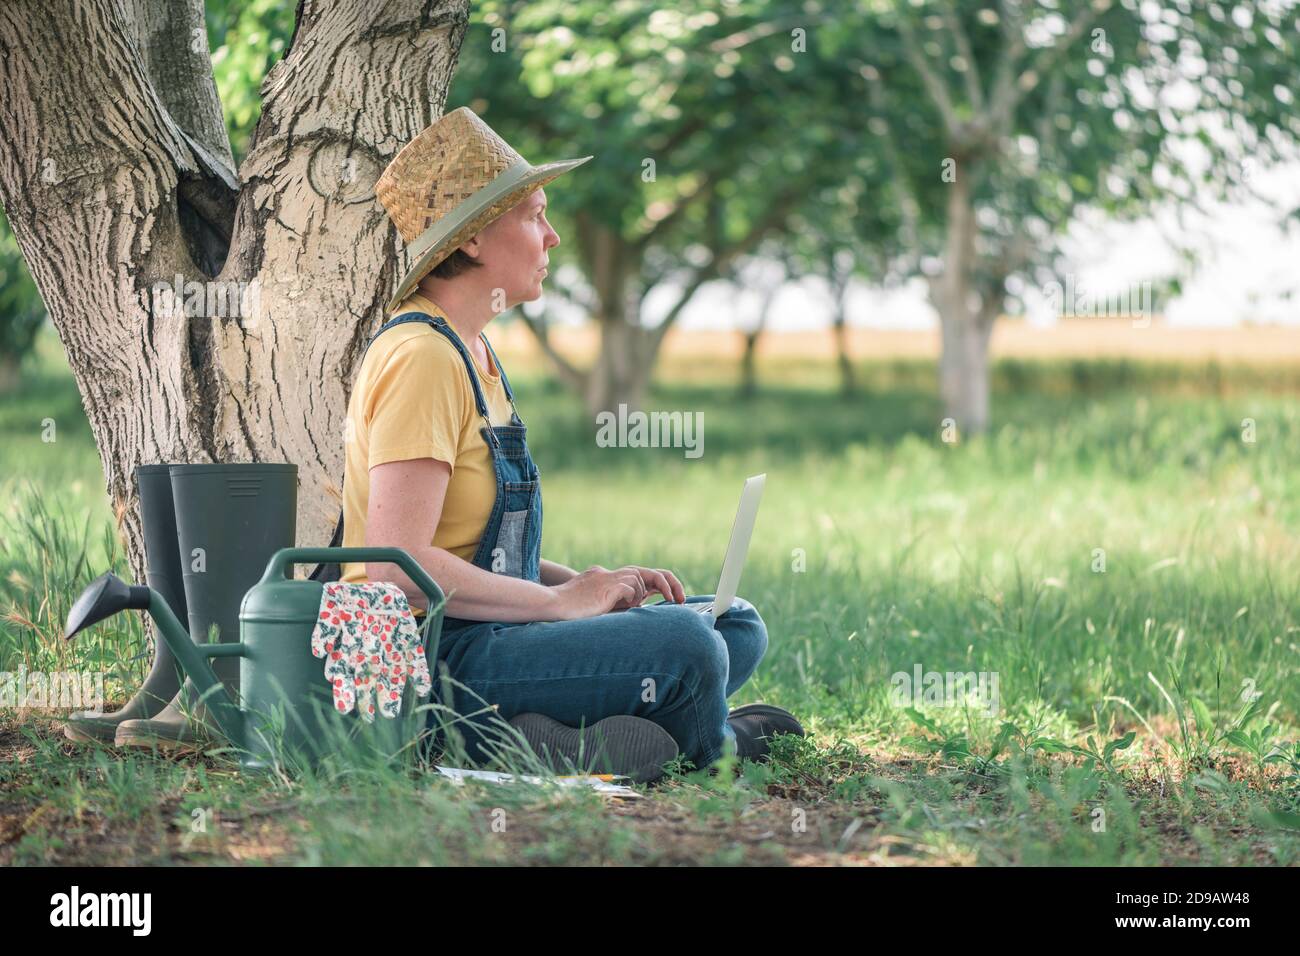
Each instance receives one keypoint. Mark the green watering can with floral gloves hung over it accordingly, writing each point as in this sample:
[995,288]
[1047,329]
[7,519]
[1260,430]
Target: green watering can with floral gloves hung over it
[288,706]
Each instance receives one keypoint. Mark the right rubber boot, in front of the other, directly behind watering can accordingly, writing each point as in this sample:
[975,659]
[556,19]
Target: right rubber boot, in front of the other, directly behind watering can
[231,521]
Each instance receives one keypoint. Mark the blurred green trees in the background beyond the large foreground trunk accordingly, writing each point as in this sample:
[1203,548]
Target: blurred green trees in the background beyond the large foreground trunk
[955,141]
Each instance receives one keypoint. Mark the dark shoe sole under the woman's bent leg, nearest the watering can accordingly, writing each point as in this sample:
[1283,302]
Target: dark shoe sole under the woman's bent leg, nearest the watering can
[621,745]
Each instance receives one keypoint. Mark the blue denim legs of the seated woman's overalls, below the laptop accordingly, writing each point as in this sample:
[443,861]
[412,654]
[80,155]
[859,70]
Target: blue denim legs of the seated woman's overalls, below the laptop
[662,663]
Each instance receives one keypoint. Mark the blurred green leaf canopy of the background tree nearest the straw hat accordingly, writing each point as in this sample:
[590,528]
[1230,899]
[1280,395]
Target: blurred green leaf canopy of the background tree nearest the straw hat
[743,129]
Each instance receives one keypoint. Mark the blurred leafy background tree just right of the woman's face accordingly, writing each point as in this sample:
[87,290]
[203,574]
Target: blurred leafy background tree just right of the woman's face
[713,127]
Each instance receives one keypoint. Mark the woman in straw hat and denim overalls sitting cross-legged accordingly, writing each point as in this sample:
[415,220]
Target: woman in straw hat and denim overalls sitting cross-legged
[437,465]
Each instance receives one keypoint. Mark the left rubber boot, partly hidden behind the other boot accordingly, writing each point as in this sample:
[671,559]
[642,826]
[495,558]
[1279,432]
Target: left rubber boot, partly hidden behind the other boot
[163,574]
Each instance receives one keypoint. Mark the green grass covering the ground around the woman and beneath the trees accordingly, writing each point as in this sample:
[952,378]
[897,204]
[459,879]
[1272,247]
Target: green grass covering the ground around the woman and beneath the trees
[1124,734]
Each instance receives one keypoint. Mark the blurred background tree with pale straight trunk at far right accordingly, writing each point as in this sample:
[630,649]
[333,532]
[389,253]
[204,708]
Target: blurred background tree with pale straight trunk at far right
[1006,120]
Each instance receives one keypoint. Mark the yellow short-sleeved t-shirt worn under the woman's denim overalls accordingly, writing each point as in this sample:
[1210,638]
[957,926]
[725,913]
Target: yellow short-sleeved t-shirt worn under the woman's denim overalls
[414,400]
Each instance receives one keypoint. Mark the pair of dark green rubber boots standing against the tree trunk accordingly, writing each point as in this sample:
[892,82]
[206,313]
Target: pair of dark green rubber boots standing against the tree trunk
[210,531]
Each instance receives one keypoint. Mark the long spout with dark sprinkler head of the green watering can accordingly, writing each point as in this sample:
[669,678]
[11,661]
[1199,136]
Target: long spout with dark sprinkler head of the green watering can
[109,595]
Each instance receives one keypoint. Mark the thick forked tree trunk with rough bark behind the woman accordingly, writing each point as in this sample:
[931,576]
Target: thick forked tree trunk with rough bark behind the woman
[115,181]
